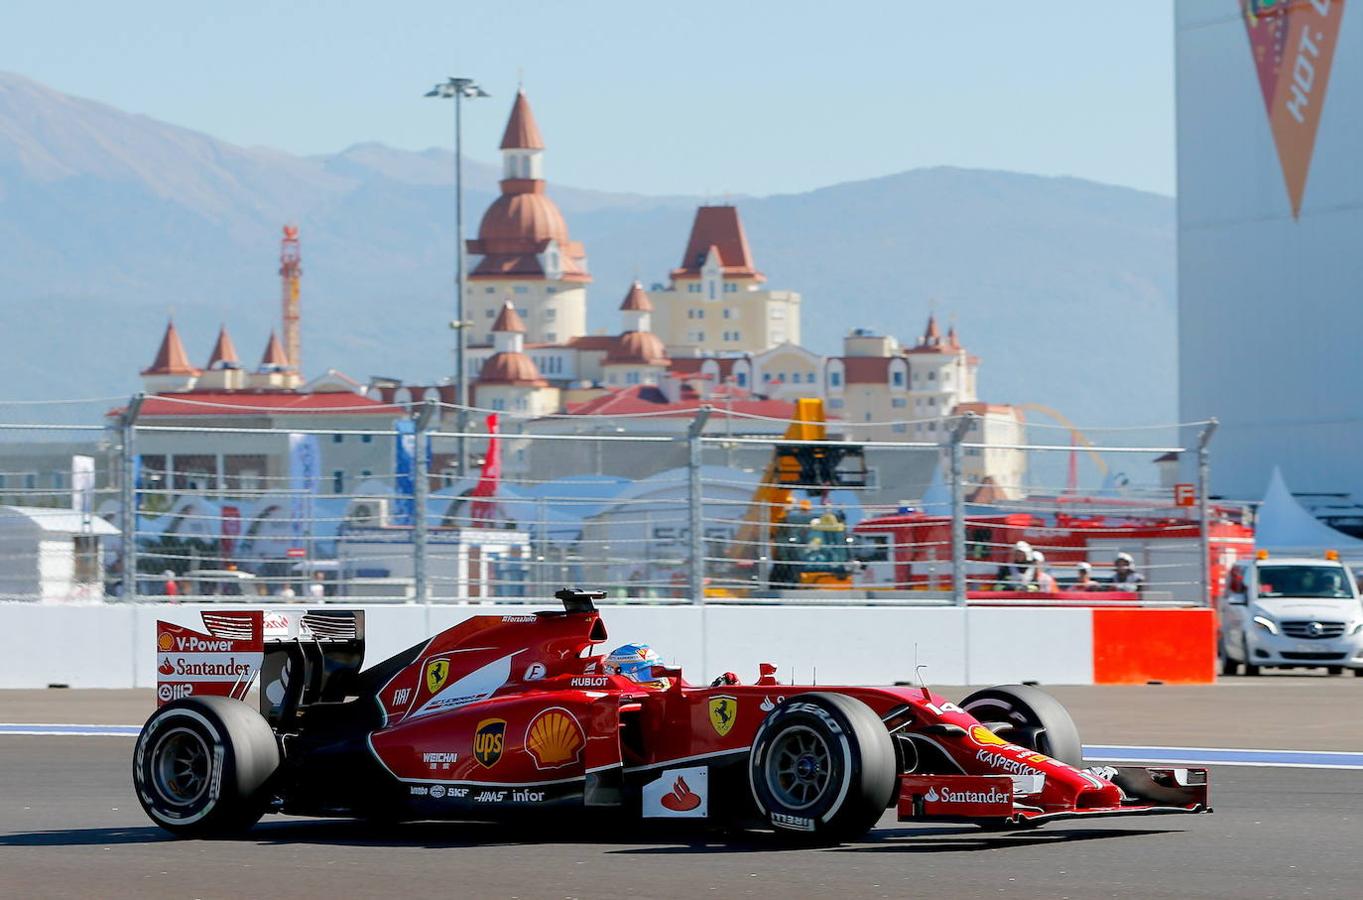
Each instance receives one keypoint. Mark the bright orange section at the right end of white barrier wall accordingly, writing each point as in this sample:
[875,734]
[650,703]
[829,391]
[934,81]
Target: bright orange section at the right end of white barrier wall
[1133,647]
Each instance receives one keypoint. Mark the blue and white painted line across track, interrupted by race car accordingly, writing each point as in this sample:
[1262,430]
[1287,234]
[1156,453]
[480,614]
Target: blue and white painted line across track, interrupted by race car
[1094,753]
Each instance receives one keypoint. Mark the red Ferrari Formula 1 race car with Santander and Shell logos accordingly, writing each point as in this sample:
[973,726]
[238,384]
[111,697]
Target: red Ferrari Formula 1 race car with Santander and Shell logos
[510,714]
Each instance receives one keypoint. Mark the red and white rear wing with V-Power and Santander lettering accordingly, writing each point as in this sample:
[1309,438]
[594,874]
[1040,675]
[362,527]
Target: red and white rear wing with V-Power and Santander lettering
[302,655]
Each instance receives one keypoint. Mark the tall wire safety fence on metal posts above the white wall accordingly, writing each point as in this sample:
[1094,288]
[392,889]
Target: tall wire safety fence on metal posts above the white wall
[423,502]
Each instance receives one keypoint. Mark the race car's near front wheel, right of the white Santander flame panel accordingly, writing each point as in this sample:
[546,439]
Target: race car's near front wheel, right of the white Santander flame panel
[823,768]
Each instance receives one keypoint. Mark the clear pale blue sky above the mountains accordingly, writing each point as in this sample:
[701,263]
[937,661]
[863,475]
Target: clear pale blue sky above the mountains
[700,97]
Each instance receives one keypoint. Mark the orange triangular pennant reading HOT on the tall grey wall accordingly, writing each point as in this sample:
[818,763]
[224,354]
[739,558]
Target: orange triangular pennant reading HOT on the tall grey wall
[1293,43]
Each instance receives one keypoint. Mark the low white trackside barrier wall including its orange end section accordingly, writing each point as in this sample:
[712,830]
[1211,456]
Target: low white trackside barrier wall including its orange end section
[114,646]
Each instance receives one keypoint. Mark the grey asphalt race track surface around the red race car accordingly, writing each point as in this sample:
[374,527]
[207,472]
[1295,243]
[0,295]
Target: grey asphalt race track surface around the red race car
[72,827]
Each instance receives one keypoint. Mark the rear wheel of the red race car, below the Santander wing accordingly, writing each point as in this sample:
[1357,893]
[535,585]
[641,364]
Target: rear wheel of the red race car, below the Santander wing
[201,764]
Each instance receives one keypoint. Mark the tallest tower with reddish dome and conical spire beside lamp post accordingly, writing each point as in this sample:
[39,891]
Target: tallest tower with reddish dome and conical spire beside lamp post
[524,253]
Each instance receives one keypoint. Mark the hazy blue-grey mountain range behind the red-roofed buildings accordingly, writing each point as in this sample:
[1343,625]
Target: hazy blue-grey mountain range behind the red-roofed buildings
[110,220]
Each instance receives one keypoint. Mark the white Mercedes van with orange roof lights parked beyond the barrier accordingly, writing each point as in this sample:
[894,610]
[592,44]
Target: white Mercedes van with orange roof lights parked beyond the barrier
[1289,614]
